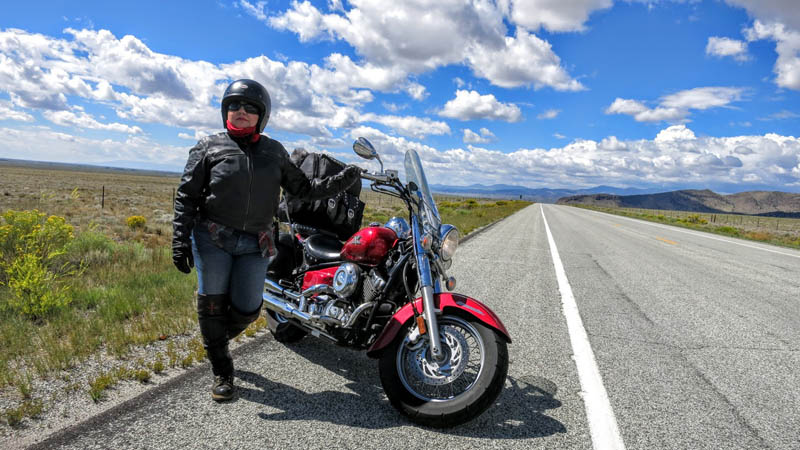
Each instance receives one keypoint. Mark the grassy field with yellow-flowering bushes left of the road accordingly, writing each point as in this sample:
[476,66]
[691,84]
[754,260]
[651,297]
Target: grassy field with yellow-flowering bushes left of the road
[86,275]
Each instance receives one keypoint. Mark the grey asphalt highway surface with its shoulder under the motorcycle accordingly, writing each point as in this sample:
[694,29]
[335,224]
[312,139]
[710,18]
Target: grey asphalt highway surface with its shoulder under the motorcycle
[695,336]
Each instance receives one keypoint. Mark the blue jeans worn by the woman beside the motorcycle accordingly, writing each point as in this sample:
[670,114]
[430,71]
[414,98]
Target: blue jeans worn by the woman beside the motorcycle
[230,263]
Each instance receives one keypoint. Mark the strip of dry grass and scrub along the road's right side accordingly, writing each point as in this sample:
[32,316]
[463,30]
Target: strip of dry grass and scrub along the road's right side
[773,230]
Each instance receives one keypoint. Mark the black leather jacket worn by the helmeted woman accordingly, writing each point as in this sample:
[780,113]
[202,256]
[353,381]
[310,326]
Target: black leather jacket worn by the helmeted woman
[238,185]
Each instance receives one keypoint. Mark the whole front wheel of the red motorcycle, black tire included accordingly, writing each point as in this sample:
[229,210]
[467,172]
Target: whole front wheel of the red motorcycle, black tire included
[402,366]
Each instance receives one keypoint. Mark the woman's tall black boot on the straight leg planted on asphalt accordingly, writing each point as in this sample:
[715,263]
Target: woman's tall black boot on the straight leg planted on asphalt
[212,314]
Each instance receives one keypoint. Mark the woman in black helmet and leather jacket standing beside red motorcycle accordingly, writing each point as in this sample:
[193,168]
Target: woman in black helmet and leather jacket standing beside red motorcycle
[224,210]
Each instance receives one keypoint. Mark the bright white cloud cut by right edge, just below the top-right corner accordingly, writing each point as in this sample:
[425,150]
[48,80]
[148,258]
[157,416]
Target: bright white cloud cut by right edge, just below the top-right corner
[787,66]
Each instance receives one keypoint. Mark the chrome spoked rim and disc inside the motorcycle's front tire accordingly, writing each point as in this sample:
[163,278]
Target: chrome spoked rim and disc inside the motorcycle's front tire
[432,380]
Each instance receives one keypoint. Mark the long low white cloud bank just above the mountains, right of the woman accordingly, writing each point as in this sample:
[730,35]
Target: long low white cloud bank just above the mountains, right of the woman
[674,158]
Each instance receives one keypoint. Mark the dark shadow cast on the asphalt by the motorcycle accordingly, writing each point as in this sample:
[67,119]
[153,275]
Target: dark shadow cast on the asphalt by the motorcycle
[518,413]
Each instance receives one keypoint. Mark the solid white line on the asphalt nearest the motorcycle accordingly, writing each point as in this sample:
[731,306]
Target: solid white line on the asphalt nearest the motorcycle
[602,422]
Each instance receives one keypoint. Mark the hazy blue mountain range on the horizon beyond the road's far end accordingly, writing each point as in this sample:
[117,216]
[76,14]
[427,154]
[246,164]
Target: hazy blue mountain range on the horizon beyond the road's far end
[542,195]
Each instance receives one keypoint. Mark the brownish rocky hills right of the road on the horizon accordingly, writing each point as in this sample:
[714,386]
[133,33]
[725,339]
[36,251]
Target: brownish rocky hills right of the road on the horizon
[765,203]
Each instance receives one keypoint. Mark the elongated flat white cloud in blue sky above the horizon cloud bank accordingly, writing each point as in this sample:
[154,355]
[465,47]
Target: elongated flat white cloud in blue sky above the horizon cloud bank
[677,107]
